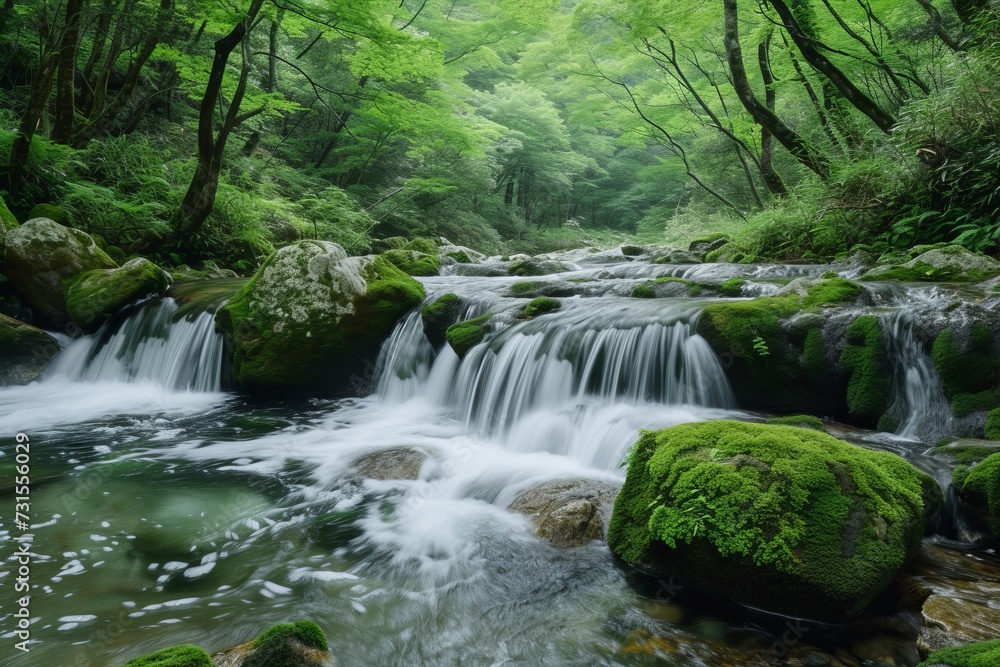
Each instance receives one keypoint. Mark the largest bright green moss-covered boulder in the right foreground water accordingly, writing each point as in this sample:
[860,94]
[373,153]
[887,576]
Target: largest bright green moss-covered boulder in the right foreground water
[780,518]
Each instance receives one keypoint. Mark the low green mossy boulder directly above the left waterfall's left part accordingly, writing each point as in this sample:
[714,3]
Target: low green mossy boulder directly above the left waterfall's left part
[93,296]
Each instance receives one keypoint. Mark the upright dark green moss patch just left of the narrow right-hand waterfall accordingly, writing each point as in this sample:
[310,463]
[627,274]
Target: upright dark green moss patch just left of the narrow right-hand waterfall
[865,360]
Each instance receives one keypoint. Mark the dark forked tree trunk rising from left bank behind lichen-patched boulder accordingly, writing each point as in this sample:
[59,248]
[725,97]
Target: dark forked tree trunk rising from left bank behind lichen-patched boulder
[200,197]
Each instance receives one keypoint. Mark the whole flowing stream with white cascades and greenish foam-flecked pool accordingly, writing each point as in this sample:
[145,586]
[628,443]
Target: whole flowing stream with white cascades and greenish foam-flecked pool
[166,510]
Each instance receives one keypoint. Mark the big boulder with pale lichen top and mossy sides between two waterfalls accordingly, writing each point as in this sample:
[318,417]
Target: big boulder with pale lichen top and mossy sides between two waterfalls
[311,315]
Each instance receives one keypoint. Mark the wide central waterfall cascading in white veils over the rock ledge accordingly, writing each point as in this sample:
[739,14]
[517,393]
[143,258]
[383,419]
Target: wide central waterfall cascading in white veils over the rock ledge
[594,354]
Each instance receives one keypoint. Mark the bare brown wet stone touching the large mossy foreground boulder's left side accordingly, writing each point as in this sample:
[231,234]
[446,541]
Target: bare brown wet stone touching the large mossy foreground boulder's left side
[568,513]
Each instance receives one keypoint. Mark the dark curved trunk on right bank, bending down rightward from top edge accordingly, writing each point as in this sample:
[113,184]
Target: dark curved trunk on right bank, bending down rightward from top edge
[788,138]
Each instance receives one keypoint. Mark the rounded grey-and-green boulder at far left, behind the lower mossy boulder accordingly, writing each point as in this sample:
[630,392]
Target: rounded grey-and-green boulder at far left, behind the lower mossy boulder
[41,254]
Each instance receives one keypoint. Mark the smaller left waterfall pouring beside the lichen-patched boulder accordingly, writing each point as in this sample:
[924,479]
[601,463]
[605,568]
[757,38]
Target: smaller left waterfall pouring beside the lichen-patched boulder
[154,342]
